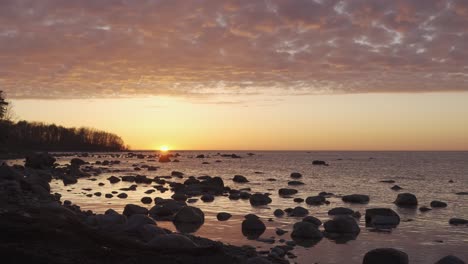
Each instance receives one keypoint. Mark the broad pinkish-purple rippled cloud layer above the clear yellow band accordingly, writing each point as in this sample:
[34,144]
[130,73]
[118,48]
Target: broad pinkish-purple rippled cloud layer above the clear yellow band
[103,48]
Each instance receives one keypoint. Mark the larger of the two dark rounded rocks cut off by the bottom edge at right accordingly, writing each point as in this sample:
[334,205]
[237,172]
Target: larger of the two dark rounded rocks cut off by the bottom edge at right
[385,256]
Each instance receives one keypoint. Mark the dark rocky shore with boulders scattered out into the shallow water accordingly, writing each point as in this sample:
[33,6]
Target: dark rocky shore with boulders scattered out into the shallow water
[38,226]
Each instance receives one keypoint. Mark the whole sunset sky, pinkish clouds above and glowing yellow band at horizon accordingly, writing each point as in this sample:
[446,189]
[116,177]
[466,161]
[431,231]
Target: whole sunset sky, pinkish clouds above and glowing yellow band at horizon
[250,75]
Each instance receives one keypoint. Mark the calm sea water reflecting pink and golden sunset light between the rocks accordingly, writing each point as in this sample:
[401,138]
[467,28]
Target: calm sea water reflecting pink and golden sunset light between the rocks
[426,174]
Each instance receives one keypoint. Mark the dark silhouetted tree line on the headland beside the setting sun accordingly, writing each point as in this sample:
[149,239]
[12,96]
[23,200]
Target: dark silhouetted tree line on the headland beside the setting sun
[30,136]
